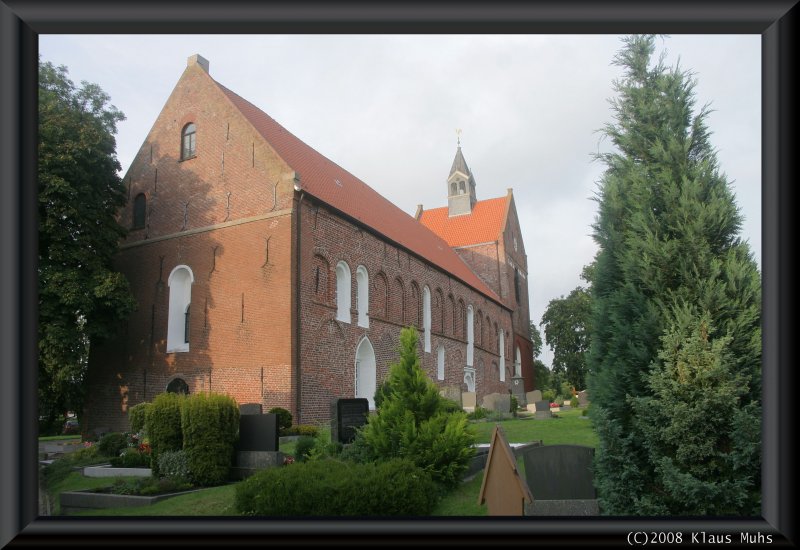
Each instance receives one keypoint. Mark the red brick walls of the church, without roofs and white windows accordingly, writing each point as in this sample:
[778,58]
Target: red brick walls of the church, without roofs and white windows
[263,254]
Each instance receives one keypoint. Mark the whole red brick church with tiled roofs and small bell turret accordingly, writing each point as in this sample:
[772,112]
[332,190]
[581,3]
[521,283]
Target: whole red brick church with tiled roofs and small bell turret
[265,271]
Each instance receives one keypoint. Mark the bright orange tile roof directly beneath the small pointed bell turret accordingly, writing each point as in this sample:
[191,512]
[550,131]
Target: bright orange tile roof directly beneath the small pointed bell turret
[483,225]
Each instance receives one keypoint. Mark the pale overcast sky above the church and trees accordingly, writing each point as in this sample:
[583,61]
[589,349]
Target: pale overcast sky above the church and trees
[386,108]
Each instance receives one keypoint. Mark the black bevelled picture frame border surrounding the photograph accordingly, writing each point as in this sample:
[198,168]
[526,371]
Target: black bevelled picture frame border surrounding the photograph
[22,21]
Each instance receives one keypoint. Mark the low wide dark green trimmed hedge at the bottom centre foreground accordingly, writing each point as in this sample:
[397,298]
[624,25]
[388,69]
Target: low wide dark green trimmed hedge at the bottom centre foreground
[334,488]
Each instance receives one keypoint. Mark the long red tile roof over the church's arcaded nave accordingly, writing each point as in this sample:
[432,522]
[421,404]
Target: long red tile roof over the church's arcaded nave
[332,184]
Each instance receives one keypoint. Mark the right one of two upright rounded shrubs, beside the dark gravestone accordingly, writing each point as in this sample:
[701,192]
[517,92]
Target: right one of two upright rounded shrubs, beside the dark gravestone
[210,424]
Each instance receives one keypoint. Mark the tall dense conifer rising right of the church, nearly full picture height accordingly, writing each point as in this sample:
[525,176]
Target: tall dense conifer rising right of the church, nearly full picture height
[669,259]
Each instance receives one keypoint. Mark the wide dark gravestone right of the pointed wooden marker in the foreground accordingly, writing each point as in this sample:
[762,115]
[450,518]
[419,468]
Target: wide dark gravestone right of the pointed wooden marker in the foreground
[560,472]
